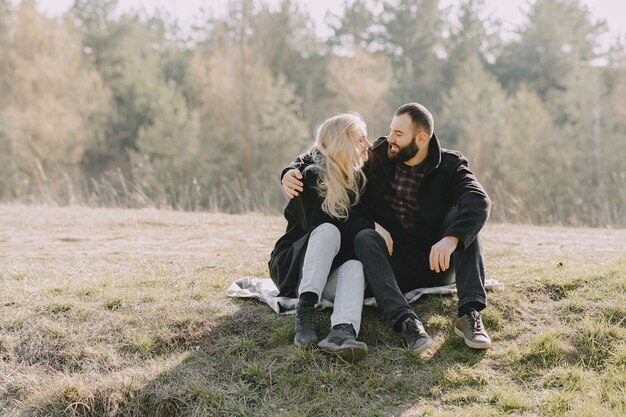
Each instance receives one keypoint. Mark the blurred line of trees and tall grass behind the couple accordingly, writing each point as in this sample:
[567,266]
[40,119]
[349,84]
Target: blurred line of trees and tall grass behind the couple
[134,110]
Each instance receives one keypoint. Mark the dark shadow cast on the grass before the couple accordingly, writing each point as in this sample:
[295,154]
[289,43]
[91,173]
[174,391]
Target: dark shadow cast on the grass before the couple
[246,365]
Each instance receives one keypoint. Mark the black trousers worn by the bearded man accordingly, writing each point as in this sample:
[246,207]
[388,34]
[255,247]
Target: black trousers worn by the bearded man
[388,277]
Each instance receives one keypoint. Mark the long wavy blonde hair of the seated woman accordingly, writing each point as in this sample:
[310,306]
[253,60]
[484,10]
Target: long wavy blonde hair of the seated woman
[339,163]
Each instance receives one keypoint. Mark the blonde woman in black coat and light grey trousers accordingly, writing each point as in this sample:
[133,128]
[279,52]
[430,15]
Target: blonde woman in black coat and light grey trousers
[315,257]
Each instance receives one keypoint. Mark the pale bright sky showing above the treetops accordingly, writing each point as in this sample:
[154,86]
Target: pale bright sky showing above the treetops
[510,12]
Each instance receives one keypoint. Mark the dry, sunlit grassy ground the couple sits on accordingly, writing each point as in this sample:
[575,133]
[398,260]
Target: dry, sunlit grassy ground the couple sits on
[107,312]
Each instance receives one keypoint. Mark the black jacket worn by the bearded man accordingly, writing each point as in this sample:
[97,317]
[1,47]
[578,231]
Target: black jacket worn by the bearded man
[448,188]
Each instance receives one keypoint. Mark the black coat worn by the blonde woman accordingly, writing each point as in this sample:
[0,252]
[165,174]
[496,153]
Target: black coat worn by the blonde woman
[303,214]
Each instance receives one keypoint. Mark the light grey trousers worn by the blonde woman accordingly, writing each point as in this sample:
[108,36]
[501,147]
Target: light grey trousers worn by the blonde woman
[344,285]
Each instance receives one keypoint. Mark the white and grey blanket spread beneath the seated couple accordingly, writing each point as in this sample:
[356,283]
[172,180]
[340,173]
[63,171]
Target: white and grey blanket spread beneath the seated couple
[265,290]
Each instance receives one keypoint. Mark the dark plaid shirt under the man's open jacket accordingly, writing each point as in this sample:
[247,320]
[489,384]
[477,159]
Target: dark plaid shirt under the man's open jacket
[401,193]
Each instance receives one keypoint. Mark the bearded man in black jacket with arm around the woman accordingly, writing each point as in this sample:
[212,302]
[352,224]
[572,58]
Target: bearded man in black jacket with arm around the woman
[433,206]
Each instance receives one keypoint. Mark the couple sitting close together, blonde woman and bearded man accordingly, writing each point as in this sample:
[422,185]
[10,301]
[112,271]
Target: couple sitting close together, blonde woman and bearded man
[400,214]
